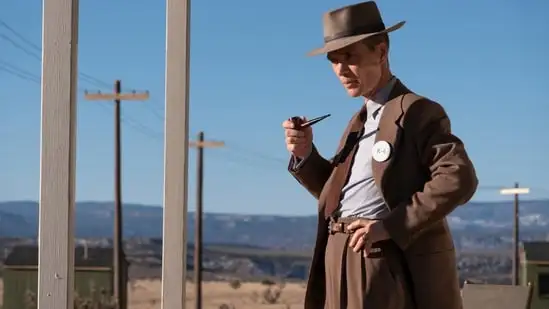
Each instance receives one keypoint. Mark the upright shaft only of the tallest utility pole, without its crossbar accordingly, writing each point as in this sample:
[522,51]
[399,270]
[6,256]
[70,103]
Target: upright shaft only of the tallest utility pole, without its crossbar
[118,283]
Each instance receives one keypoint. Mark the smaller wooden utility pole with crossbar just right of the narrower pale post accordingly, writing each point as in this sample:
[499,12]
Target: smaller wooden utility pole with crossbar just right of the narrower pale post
[200,144]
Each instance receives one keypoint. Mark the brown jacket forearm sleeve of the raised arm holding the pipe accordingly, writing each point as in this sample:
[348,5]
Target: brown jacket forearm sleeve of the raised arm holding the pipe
[312,173]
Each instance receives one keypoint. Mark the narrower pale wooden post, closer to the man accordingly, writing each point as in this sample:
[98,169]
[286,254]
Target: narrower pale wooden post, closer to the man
[176,149]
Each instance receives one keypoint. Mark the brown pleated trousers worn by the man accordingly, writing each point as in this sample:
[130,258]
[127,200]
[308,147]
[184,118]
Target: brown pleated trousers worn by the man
[353,281]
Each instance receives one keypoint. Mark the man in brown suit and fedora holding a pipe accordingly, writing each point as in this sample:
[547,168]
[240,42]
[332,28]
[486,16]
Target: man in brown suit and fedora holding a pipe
[382,240]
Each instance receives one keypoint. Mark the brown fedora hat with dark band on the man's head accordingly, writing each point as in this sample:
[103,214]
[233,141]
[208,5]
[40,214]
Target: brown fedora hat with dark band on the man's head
[351,24]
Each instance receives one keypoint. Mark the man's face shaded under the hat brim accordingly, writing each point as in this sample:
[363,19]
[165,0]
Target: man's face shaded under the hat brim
[358,67]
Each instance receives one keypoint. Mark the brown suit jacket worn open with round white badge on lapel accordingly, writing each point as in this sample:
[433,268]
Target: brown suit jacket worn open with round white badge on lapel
[428,175]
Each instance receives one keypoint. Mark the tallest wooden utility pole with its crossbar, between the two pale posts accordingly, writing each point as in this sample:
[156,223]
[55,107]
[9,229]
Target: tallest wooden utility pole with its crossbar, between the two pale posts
[119,280]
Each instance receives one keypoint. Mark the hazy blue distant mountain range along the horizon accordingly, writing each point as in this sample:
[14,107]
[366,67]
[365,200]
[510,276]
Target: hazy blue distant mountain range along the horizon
[95,219]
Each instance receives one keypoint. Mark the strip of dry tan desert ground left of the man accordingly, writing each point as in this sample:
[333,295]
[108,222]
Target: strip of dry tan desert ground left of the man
[145,294]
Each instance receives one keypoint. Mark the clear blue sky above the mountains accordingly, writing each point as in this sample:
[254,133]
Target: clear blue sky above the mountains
[485,61]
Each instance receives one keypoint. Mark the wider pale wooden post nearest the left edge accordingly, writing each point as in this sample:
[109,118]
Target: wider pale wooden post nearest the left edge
[58,154]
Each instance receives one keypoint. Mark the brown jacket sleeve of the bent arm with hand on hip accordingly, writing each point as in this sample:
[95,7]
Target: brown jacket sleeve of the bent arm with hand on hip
[453,179]
